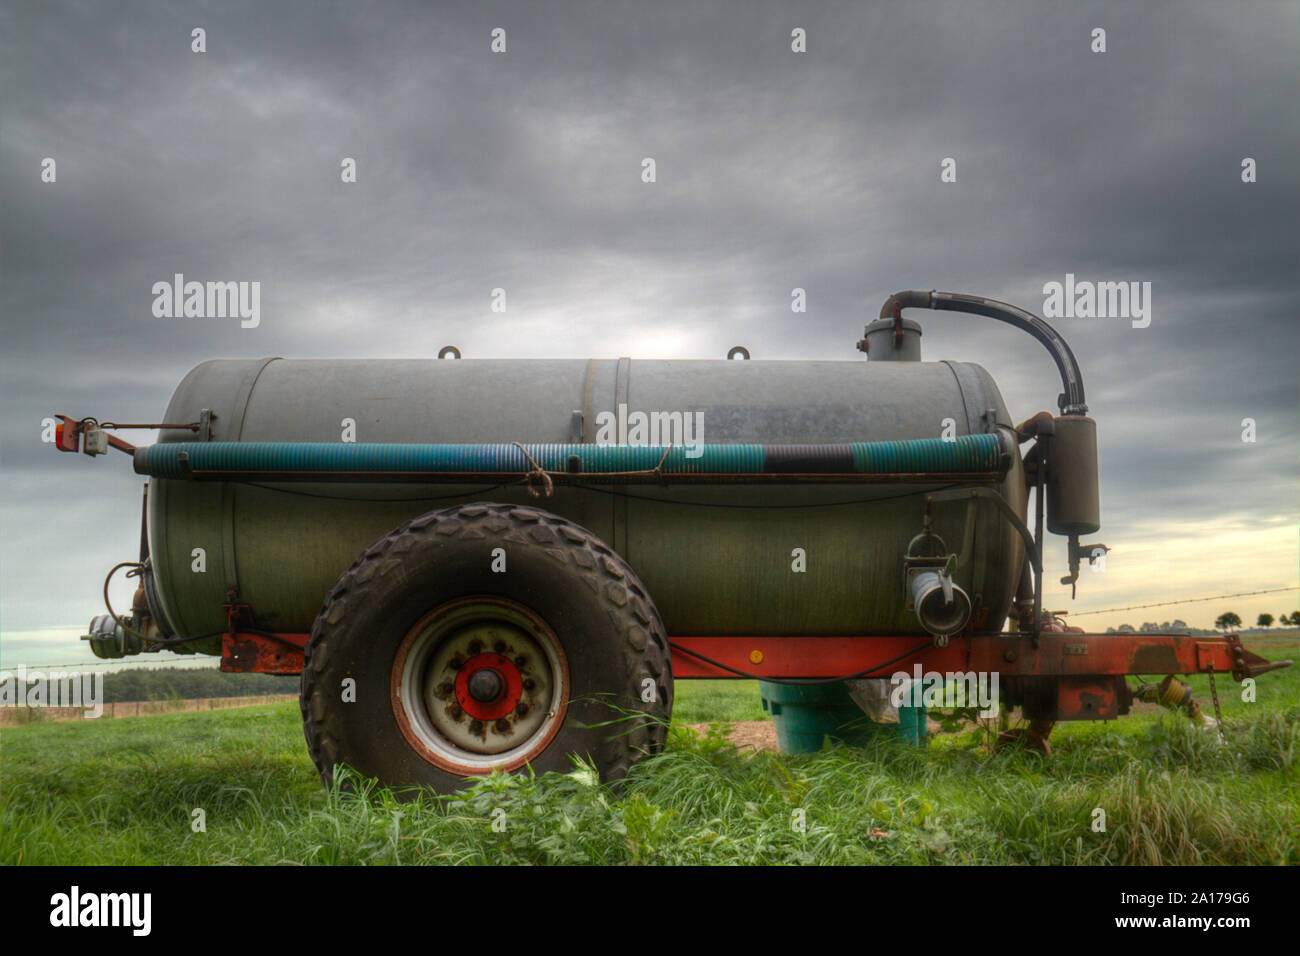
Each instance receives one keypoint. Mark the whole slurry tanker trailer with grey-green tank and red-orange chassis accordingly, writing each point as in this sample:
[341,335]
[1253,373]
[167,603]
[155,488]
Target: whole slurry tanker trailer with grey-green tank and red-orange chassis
[482,565]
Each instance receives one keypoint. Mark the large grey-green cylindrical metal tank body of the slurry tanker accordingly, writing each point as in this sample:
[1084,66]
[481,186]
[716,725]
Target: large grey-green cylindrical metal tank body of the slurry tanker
[718,560]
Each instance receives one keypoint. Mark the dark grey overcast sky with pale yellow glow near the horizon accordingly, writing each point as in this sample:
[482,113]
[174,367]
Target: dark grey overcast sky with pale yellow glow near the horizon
[775,170]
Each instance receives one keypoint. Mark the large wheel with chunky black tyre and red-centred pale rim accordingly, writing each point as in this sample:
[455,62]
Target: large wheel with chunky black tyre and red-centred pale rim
[460,669]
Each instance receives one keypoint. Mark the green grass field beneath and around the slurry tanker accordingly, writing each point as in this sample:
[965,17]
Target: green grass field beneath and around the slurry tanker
[125,793]
